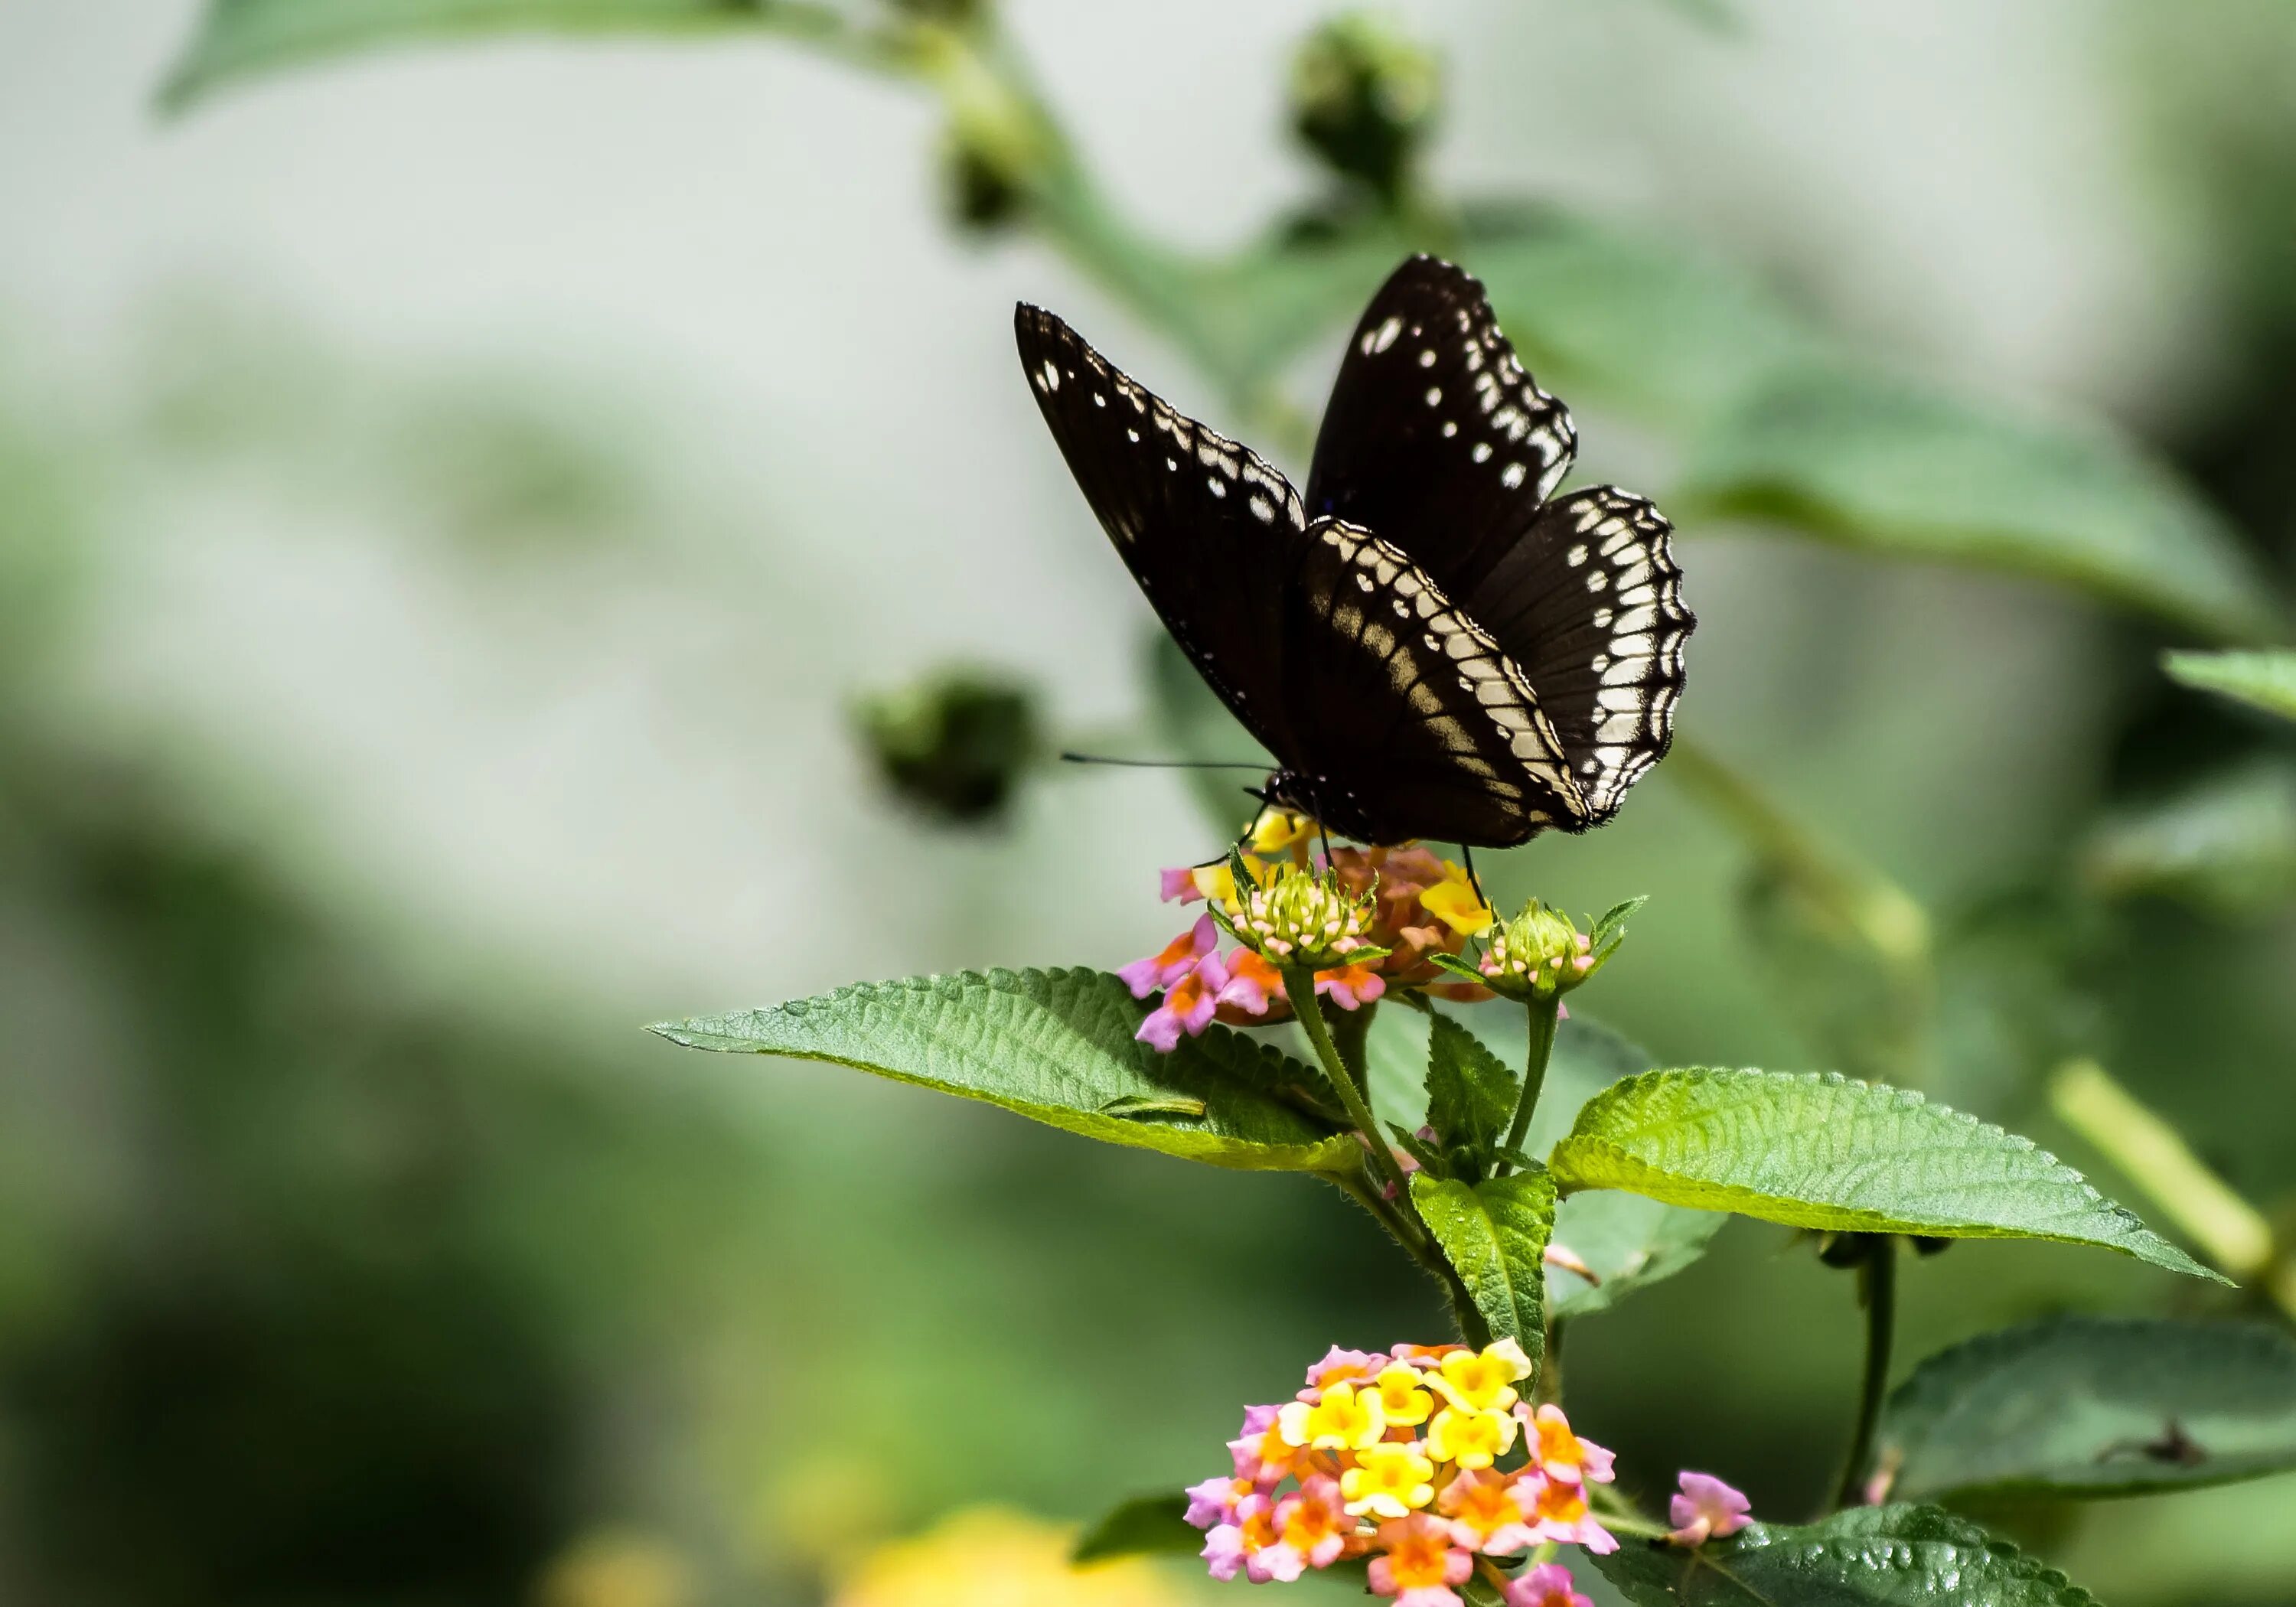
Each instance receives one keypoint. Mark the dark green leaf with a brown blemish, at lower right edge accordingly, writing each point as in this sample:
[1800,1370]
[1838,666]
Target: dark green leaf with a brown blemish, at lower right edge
[2097,1406]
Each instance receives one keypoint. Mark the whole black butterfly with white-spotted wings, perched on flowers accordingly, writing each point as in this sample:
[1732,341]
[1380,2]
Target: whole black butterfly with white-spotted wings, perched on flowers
[1427,644]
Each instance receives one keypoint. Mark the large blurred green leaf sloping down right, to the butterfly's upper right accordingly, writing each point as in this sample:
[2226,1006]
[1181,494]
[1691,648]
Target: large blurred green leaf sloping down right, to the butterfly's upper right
[1891,467]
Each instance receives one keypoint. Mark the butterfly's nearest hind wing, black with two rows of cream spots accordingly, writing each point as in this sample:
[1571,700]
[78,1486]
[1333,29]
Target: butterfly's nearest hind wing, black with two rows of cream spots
[1413,722]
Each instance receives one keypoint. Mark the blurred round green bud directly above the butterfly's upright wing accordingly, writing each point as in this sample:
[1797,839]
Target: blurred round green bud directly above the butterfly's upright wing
[1365,98]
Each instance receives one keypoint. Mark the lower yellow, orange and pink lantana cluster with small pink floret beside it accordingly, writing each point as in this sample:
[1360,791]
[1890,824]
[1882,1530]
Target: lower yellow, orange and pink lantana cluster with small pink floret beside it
[1432,1466]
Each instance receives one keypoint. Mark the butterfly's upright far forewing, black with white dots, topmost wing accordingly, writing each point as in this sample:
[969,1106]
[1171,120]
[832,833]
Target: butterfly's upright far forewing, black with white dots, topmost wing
[1436,437]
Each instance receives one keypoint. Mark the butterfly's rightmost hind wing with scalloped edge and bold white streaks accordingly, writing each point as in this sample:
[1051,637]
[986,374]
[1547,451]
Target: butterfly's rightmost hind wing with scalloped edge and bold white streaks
[1590,603]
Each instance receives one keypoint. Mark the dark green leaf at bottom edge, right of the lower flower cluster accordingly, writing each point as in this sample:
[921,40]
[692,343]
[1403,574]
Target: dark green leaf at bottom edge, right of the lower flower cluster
[1863,1558]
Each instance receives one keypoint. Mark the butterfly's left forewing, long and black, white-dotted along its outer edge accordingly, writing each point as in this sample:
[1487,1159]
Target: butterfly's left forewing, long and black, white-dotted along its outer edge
[1209,529]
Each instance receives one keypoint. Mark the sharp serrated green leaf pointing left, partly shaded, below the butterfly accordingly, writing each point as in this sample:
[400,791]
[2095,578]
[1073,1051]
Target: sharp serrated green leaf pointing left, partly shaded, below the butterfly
[1057,1048]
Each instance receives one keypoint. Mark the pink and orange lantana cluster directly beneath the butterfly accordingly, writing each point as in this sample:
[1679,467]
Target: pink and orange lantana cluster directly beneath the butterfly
[1393,906]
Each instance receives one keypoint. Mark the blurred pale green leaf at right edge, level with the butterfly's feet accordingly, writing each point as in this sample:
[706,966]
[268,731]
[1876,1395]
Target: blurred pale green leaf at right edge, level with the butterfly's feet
[2224,844]
